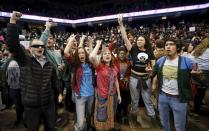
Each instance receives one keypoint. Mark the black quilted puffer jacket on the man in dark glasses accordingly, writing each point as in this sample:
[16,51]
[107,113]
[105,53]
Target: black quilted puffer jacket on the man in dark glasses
[37,83]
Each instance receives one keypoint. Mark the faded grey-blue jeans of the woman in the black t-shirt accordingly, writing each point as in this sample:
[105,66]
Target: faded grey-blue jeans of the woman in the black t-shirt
[146,93]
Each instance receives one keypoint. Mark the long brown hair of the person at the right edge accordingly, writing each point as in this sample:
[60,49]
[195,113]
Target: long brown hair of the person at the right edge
[201,47]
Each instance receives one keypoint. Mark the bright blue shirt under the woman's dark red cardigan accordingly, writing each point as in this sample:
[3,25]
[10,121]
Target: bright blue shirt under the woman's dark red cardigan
[87,88]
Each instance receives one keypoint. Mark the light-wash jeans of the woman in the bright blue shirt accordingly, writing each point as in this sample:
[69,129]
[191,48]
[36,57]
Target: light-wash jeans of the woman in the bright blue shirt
[84,106]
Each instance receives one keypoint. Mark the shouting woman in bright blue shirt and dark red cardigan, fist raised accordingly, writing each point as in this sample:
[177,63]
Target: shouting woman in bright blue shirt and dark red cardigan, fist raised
[82,84]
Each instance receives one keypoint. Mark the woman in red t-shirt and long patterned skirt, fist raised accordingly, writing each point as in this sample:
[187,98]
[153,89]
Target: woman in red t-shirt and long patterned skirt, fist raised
[107,90]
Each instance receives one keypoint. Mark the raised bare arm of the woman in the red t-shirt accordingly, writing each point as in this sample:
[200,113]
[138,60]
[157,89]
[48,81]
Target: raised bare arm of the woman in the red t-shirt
[93,54]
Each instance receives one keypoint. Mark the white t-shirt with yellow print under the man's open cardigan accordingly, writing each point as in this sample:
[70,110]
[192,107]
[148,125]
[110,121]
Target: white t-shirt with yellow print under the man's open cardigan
[170,84]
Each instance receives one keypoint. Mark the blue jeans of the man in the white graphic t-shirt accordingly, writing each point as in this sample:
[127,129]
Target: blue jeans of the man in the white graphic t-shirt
[179,109]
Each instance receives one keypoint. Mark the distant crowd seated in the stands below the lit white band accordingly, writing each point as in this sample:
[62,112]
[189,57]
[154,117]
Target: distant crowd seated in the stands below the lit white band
[184,30]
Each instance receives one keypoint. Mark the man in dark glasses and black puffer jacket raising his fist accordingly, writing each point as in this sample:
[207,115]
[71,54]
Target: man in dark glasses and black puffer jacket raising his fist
[37,79]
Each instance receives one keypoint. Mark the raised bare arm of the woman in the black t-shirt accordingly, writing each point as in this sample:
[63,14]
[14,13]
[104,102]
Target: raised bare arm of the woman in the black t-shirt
[123,33]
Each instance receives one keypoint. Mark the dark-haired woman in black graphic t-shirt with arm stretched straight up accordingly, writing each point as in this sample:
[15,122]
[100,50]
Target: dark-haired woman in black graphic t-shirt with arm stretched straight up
[139,82]
